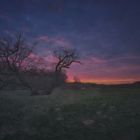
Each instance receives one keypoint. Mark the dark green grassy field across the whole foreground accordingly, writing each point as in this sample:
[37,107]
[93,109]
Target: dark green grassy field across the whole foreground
[107,113]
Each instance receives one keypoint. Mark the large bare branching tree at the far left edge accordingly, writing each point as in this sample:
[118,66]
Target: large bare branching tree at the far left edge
[13,54]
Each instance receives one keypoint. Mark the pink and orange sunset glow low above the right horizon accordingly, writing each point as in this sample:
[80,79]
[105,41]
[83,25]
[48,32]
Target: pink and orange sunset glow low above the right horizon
[95,69]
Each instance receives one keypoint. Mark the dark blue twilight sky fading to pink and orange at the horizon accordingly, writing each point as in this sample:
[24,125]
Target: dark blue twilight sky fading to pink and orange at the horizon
[105,32]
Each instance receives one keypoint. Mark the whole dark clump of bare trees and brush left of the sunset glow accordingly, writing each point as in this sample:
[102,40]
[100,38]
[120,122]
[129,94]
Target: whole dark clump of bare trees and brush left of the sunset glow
[16,65]
